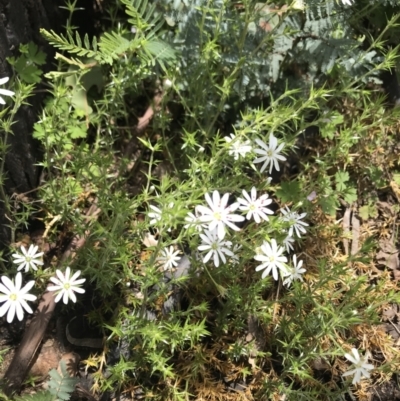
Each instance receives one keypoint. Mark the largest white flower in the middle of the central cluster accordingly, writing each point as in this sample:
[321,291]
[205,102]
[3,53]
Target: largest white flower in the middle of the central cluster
[218,215]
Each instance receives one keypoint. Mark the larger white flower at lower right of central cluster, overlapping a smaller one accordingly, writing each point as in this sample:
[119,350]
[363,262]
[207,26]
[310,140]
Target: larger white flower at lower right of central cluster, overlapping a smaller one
[272,259]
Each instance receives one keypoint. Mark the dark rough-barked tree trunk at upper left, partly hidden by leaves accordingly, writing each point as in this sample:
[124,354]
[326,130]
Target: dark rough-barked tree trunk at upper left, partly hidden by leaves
[20,22]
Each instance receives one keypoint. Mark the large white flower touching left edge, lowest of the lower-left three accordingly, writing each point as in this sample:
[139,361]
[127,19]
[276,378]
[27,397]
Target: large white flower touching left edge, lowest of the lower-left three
[15,297]
